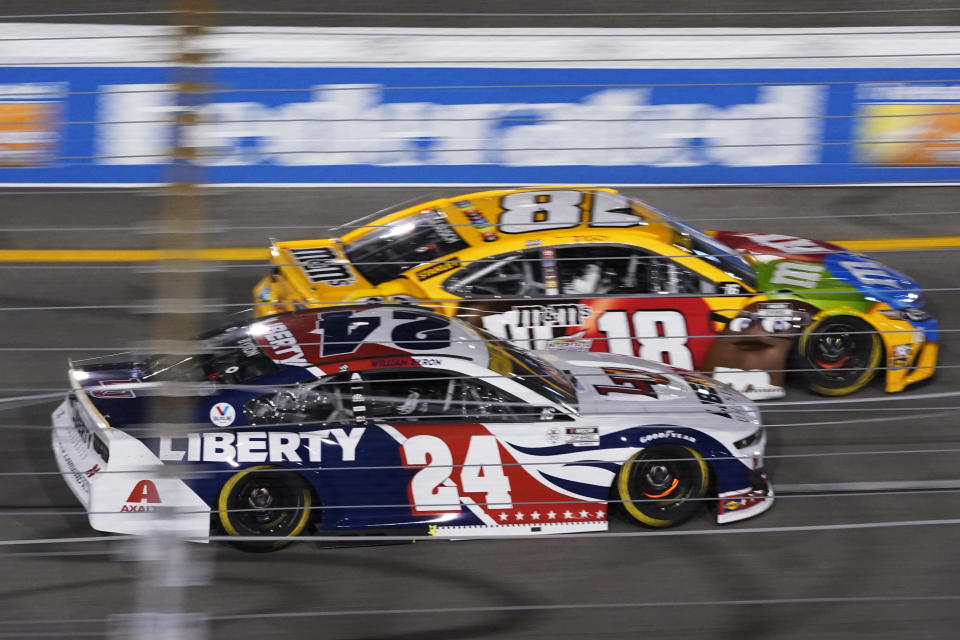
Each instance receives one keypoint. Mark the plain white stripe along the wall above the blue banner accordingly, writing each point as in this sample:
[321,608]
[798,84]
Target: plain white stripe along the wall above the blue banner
[27,43]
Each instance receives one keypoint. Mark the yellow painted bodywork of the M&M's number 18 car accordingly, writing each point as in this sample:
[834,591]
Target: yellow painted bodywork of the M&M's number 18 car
[288,289]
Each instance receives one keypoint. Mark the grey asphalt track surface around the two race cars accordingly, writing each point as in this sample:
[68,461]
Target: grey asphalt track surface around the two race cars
[775,584]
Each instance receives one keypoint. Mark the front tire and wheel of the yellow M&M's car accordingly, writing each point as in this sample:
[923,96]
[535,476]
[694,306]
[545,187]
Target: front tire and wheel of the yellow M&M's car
[844,360]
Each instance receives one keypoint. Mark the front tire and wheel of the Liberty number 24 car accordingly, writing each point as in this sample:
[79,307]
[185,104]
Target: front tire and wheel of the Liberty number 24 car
[663,486]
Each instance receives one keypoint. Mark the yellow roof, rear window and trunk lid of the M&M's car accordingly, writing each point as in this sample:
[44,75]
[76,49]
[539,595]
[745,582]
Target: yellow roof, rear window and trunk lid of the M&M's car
[487,221]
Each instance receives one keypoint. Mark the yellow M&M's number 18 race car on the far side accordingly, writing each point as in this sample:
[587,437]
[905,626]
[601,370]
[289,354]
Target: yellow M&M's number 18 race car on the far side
[588,269]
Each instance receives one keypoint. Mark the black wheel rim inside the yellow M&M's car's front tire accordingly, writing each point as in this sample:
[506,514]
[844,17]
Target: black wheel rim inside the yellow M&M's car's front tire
[842,355]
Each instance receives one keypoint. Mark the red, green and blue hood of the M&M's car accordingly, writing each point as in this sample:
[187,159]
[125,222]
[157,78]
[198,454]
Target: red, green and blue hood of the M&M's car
[802,265]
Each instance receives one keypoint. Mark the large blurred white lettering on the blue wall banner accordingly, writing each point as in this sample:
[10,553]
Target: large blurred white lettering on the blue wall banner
[350,124]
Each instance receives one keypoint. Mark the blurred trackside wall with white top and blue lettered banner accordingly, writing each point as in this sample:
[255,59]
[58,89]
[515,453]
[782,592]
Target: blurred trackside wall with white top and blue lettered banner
[602,115]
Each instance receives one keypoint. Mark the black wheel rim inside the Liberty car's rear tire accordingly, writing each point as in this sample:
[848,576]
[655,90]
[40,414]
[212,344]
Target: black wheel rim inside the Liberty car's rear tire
[266,506]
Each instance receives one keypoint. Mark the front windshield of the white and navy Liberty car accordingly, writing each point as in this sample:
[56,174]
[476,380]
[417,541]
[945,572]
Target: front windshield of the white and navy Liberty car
[530,371]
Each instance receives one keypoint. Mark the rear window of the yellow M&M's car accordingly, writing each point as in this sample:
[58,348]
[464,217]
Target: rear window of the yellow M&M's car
[385,253]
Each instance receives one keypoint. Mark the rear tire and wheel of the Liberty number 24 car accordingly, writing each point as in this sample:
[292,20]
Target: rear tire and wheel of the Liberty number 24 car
[273,504]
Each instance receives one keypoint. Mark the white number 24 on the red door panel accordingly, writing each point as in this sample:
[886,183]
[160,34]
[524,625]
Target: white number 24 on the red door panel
[433,490]
